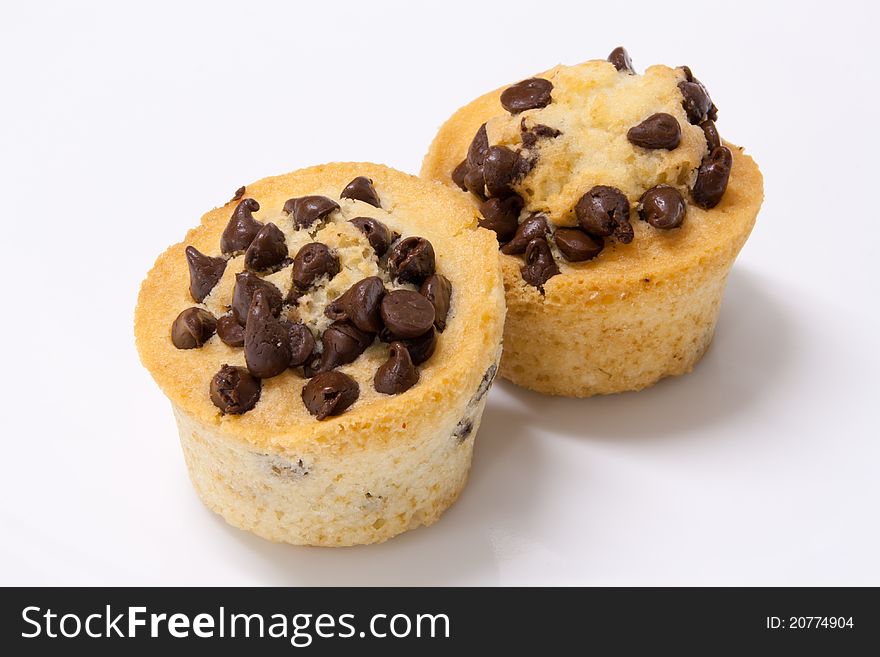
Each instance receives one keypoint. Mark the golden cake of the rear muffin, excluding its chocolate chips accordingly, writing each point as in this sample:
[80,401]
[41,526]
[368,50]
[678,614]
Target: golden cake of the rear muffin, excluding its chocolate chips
[637,311]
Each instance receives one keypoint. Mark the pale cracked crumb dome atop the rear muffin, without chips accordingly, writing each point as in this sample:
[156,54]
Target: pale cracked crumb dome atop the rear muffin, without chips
[580,138]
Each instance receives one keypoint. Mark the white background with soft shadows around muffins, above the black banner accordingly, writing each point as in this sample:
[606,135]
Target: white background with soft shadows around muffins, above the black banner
[122,124]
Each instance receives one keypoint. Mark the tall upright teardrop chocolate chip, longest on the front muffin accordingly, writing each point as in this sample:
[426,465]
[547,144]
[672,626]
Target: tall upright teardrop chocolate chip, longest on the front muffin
[266,340]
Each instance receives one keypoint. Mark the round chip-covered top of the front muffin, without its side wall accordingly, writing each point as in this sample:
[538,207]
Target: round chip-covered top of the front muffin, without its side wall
[337,294]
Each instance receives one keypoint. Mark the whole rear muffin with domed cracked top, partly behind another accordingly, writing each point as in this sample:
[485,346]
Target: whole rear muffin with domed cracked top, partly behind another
[618,210]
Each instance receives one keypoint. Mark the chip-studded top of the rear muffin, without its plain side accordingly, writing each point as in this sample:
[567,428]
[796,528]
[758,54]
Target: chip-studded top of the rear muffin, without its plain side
[596,167]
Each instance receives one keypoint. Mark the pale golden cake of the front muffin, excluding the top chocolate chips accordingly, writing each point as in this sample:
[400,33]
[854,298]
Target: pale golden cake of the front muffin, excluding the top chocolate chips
[387,464]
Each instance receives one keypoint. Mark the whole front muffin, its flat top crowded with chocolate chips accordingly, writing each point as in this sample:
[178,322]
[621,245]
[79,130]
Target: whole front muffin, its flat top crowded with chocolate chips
[327,339]
